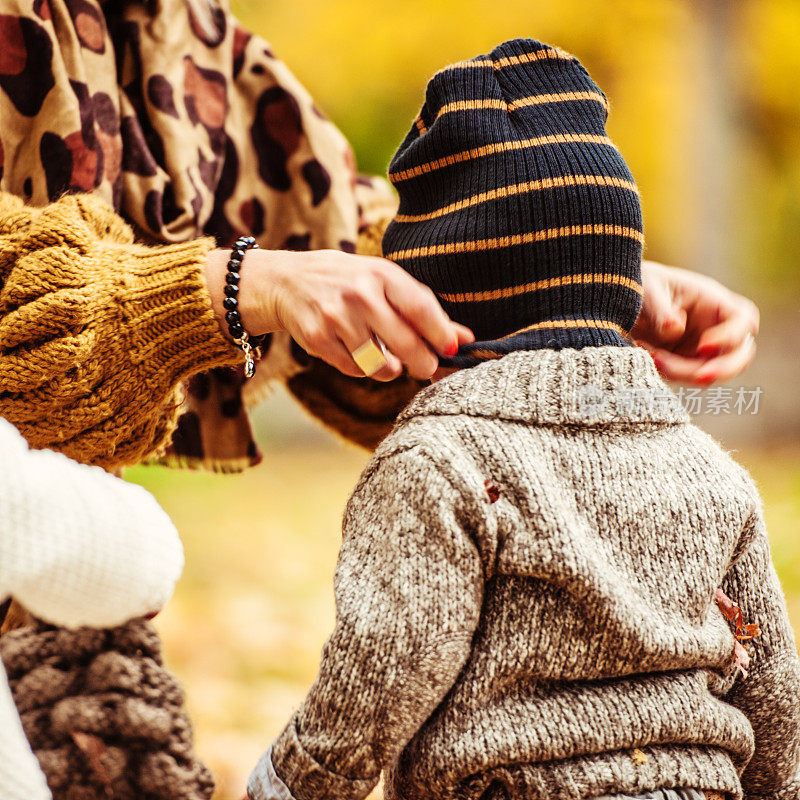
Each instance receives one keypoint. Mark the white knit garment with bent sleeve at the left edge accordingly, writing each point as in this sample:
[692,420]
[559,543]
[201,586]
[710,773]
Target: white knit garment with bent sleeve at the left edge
[77,547]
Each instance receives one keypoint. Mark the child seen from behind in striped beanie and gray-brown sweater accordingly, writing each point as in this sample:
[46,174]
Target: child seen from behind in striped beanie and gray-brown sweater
[541,563]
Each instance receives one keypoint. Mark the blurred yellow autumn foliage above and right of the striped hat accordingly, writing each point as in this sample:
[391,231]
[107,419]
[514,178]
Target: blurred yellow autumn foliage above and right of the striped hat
[704,101]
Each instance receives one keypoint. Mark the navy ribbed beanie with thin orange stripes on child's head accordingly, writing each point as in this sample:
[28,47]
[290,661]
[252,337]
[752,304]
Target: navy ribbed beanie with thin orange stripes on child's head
[515,206]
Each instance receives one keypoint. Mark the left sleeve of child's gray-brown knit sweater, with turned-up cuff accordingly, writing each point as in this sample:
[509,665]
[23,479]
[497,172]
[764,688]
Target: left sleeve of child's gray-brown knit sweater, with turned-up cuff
[409,587]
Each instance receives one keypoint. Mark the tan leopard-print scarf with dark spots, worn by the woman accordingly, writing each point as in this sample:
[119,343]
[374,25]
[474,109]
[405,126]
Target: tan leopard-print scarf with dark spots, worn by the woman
[186,129]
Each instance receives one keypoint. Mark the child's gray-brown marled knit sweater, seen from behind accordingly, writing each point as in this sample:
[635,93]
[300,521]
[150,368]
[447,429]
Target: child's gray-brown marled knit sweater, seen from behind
[525,602]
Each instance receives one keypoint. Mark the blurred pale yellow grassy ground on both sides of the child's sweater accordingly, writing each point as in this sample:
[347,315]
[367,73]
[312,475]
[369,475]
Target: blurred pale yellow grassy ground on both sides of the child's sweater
[255,604]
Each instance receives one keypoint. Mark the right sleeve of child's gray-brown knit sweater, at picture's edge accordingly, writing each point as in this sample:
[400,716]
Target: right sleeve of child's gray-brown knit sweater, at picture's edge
[769,695]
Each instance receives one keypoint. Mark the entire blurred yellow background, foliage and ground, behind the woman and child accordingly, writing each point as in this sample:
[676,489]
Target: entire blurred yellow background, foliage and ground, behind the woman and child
[704,106]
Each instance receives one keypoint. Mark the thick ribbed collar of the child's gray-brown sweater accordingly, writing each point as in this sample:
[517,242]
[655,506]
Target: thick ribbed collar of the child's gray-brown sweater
[613,387]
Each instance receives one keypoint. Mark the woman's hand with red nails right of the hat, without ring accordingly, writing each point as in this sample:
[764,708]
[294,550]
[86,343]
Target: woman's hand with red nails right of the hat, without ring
[696,330]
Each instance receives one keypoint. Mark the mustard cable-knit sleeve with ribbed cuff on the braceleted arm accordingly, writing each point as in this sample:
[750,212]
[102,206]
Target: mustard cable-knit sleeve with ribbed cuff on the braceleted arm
[96,331]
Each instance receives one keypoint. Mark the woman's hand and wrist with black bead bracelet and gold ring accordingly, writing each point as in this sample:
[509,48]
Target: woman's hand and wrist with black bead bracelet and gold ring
[331,303]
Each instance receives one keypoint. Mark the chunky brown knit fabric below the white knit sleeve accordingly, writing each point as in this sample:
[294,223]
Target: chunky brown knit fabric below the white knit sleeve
[103,716]
